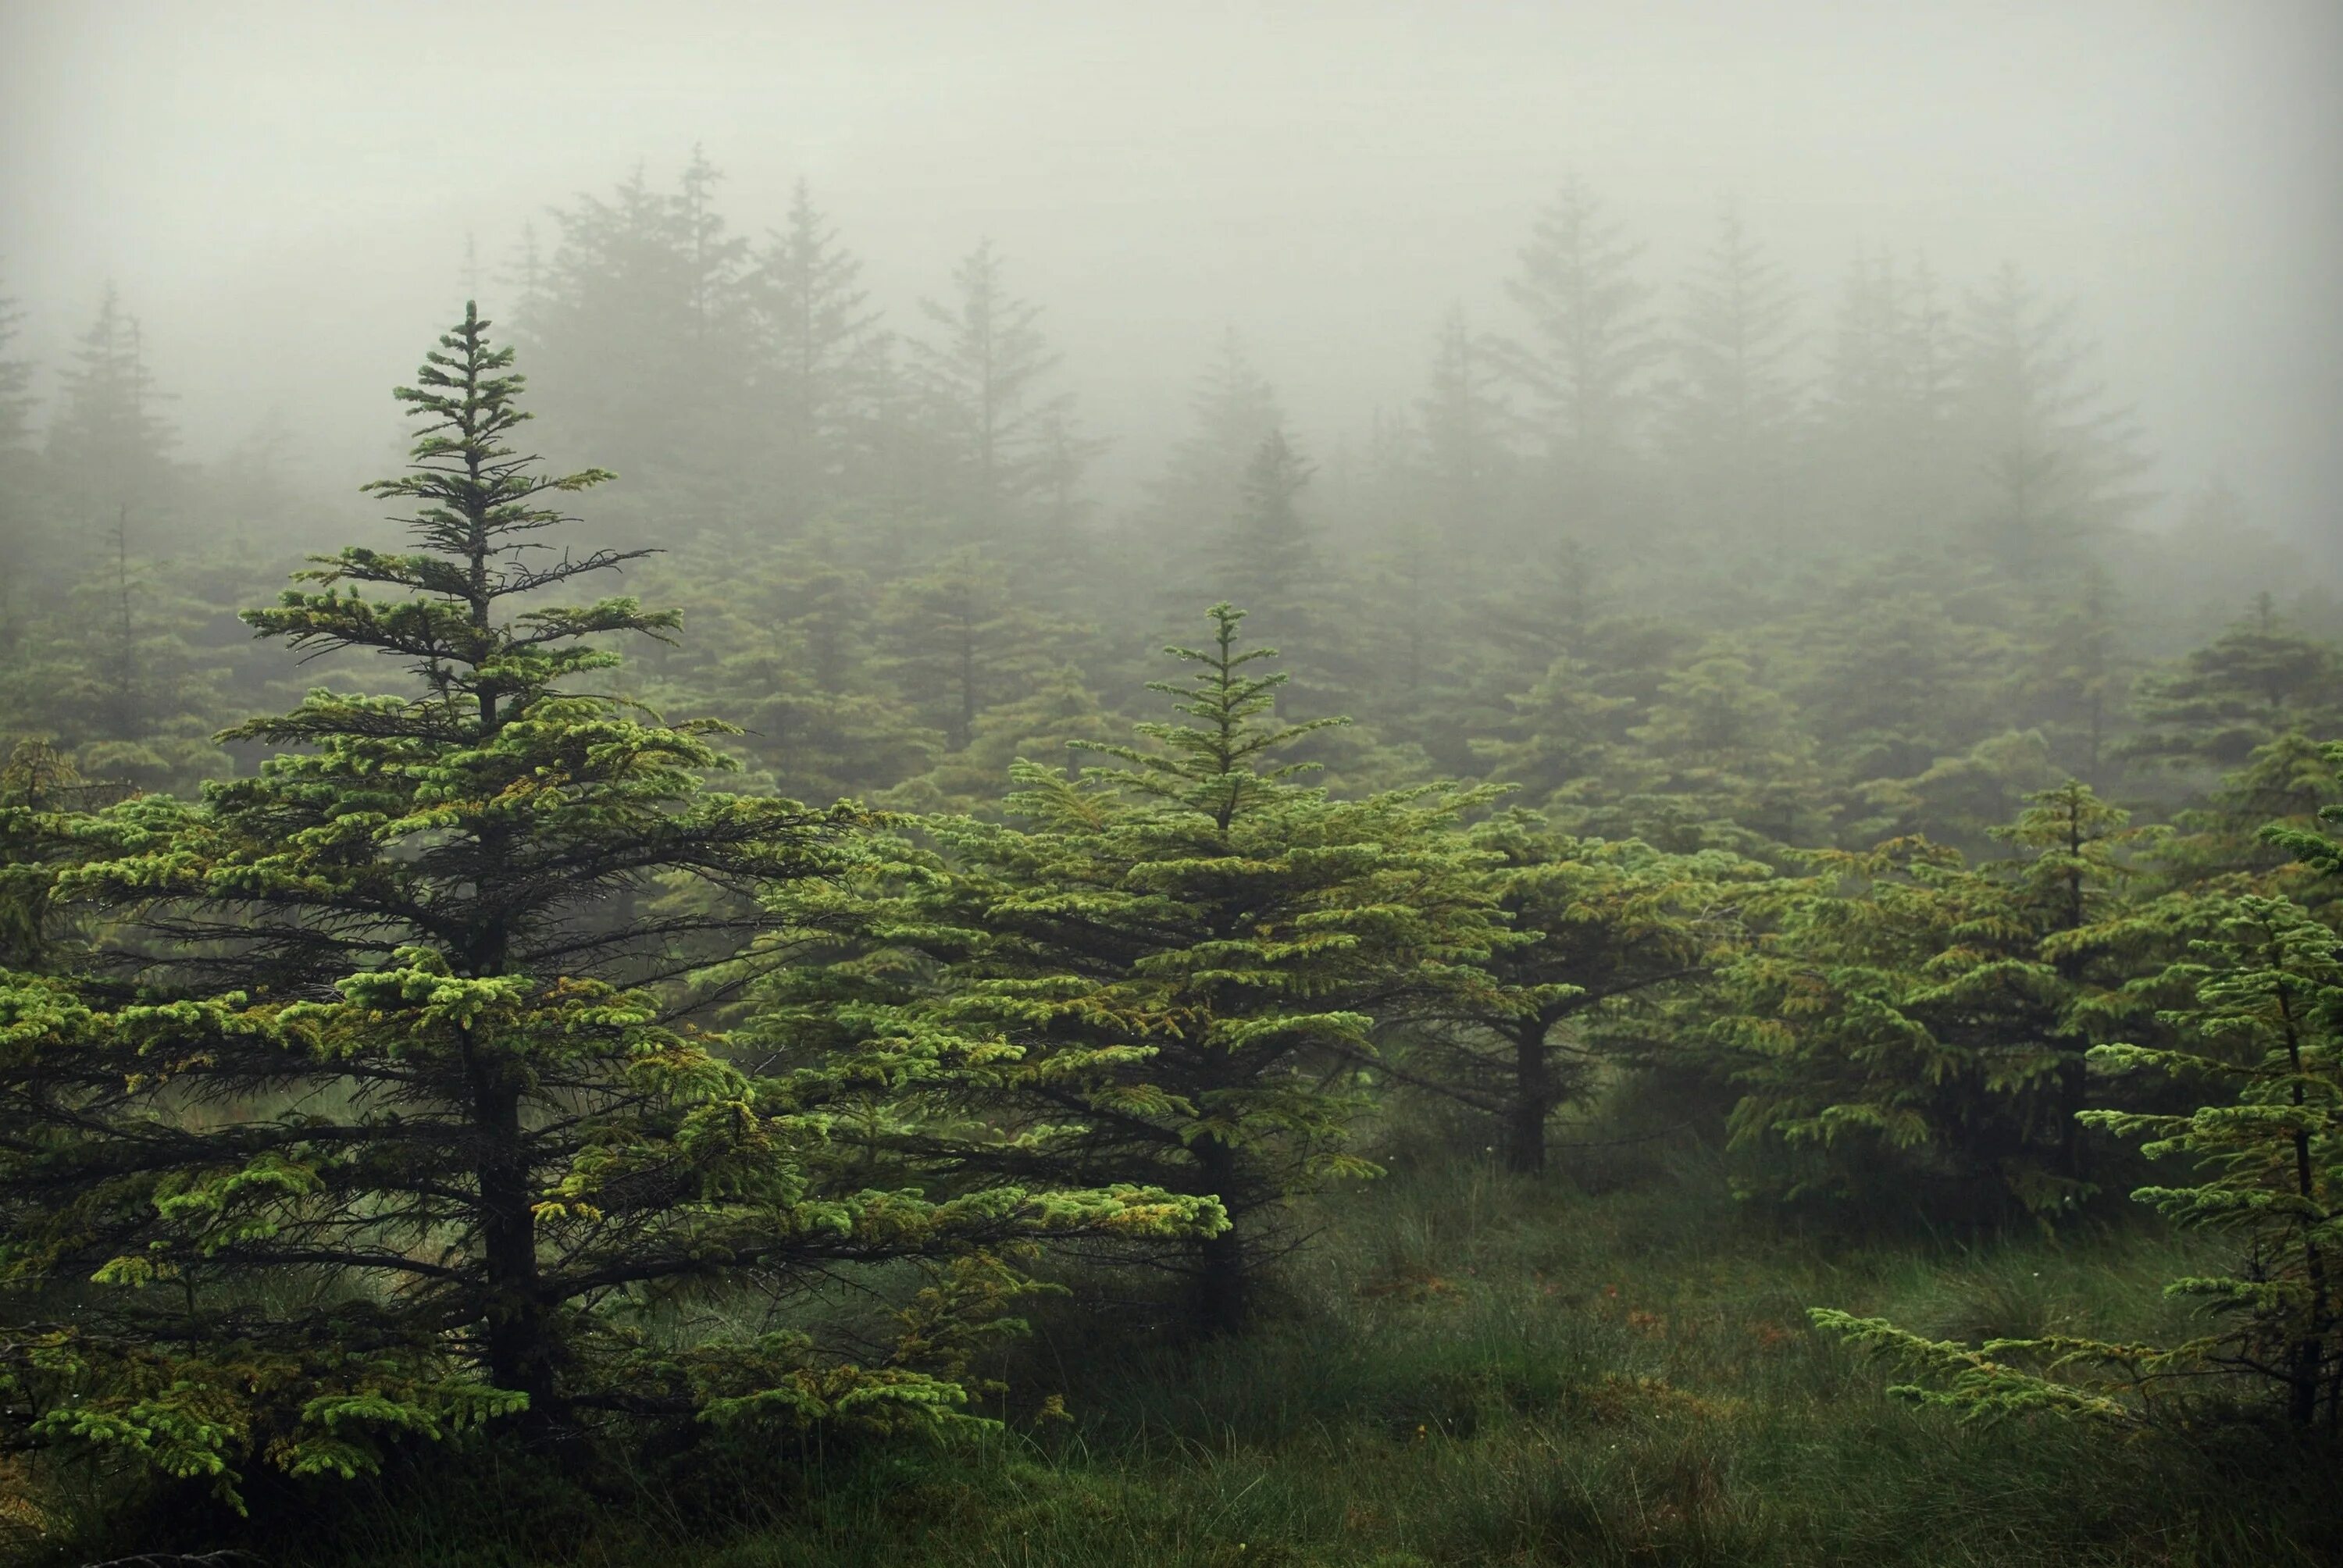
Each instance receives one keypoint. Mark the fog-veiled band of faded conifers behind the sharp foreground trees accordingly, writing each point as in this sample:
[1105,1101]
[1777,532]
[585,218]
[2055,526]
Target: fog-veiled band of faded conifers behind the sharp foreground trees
[1892,554]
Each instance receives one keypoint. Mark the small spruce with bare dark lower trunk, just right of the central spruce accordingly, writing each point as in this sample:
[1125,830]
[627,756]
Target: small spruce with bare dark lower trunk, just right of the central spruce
[1597,932]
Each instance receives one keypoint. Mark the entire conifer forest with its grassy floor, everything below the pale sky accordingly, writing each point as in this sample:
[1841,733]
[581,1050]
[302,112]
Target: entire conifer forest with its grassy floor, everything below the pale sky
[1719,941]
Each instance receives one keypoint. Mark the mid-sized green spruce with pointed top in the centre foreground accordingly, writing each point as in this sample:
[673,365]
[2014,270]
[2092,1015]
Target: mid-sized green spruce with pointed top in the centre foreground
[1173,964]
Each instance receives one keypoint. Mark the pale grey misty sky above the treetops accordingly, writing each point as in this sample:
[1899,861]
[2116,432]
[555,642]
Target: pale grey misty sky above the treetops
[285,191]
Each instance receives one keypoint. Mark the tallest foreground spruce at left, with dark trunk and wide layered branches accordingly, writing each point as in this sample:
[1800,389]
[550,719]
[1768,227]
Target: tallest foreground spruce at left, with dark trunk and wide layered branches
[383,1122]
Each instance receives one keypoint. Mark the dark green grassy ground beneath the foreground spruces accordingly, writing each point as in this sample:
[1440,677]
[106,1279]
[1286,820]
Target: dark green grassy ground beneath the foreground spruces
[1480,1370]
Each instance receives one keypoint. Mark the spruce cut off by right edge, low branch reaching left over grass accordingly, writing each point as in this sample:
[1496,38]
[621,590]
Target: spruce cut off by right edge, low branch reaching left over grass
[2262,1039]
